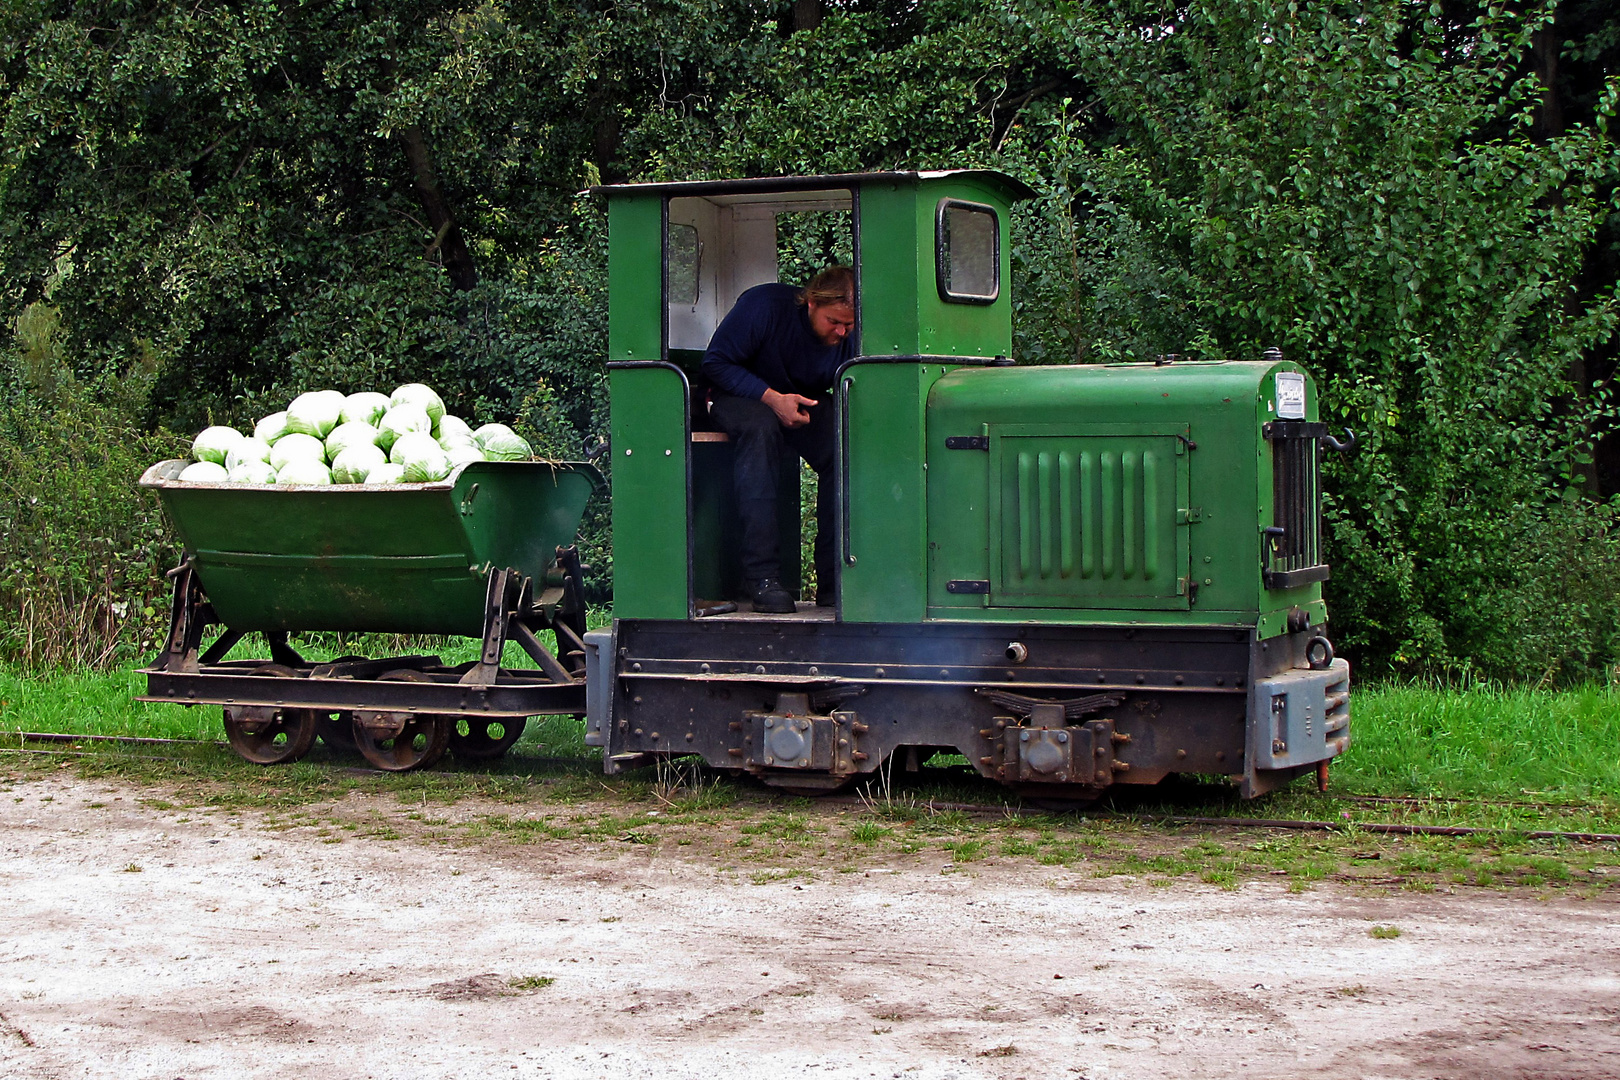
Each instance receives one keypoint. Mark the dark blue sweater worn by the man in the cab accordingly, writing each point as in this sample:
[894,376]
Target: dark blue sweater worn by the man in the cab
[765,342]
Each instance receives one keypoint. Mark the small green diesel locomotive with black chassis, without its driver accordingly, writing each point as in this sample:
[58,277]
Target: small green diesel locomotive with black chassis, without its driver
[1072,576]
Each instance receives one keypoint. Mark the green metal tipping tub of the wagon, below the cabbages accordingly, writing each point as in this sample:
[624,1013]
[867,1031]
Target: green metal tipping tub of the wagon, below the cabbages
[388,559]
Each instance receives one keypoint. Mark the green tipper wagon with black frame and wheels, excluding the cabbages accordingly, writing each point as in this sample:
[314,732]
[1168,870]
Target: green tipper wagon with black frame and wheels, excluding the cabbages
[487,553]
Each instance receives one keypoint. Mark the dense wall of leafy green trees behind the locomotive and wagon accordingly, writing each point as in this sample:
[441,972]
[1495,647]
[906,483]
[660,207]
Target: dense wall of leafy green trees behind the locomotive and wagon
[220,208]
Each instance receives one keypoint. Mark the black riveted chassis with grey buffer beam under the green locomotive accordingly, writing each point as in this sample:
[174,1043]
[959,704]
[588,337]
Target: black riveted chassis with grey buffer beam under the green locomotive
[1059,712]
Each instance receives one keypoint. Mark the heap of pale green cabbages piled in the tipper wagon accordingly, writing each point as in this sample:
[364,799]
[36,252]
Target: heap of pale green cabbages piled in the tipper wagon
[328,438]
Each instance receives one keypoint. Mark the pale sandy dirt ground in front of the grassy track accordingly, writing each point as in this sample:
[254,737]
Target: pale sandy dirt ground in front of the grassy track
[148,943]
